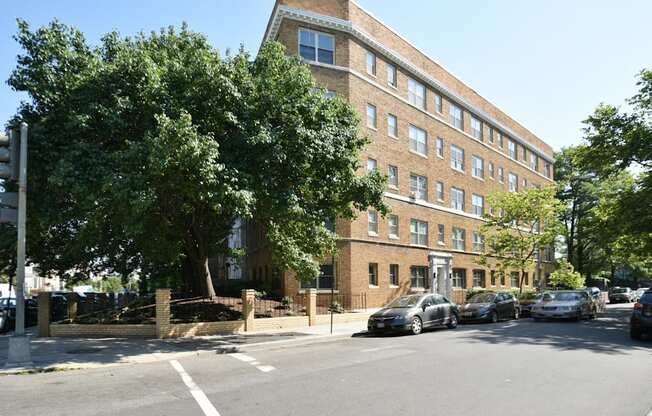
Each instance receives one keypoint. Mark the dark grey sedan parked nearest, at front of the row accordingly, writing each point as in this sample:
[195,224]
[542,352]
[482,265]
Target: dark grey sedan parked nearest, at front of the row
[413,313]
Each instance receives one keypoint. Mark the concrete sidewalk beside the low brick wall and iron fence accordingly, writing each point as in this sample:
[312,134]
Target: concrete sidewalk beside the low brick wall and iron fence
[78,353]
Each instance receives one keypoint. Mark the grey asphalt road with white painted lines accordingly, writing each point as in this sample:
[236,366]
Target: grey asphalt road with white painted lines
[510,368]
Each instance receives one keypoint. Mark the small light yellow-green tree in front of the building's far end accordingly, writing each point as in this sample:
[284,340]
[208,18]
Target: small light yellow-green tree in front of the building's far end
[523,224]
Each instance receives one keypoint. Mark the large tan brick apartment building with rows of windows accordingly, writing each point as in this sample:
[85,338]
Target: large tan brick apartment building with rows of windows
[443,146]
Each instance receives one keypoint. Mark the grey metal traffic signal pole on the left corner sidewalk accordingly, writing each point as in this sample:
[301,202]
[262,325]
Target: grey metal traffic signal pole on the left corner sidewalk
[19,349]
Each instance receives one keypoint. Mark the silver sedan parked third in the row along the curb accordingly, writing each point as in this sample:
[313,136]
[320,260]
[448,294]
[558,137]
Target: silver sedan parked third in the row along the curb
[575,304]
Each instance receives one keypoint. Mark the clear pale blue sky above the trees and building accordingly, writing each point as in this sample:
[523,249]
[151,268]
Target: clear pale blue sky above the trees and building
[546,64]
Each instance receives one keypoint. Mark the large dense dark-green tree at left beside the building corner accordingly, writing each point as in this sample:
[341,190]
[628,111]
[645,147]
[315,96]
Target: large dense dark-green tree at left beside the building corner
[144,150]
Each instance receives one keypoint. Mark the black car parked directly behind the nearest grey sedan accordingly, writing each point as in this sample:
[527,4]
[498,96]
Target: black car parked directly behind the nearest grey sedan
[490,307]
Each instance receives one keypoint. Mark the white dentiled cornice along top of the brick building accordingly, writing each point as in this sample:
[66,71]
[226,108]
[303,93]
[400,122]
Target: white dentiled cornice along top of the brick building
[347,26]
